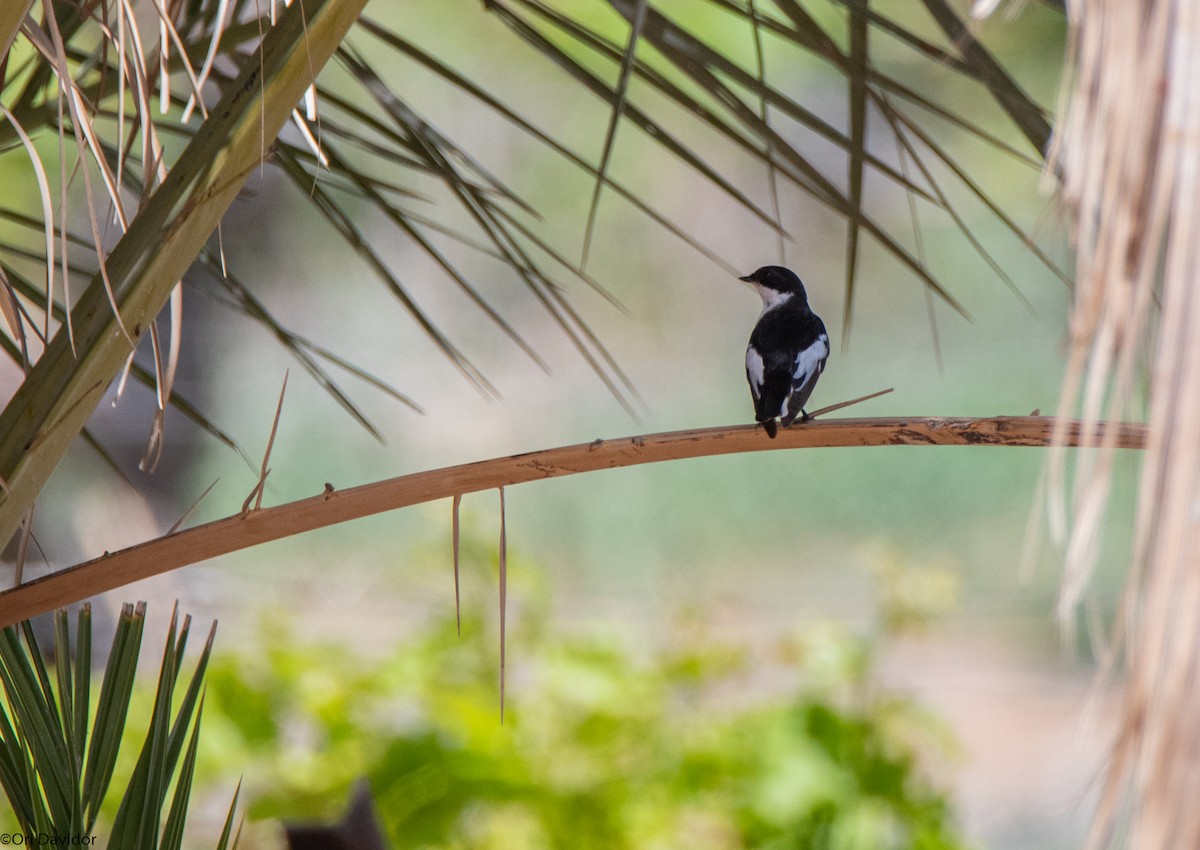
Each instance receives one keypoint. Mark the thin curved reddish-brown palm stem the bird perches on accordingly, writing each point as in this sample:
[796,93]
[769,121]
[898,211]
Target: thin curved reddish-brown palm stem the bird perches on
[333,507]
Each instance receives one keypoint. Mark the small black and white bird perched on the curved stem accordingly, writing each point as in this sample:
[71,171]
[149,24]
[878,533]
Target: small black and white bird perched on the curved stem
[788,350]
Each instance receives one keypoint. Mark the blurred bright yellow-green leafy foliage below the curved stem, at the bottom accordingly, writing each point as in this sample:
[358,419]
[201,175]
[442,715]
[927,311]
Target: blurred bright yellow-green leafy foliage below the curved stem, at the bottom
[607,743]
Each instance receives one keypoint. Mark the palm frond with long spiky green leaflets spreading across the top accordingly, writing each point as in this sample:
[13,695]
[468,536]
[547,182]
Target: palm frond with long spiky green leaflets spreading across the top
[99,79]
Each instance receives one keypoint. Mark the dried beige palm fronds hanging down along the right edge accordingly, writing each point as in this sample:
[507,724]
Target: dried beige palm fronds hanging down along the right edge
[1130,153]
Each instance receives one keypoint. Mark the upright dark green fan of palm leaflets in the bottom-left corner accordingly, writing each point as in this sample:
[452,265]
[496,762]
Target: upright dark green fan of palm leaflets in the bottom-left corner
[57,762]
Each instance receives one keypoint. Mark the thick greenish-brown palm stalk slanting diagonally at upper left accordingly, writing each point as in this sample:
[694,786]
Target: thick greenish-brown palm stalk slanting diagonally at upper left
[160,243]
